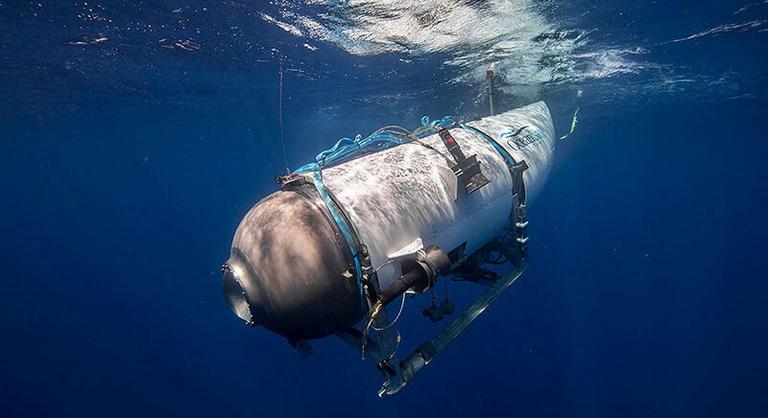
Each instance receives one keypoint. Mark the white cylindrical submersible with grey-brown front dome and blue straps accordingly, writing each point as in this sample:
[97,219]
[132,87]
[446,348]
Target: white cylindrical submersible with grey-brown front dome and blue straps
[341,239]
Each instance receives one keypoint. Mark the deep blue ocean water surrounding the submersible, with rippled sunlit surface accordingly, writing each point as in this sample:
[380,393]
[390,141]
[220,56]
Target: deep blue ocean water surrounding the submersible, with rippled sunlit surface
[134,135]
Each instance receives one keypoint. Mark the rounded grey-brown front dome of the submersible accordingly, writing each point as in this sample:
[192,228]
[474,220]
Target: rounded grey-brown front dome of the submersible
[289,269]
